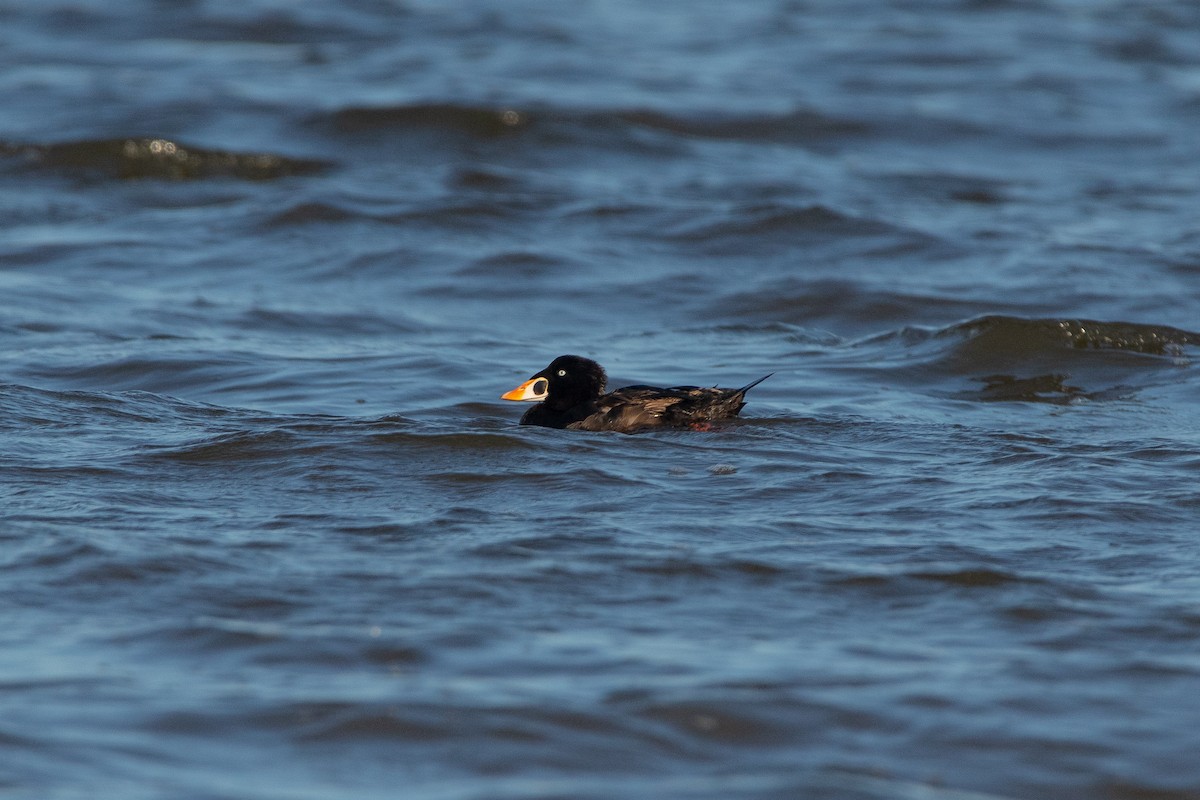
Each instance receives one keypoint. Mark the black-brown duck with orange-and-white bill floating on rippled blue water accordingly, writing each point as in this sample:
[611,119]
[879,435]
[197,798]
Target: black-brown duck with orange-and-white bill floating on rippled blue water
[571,394]
